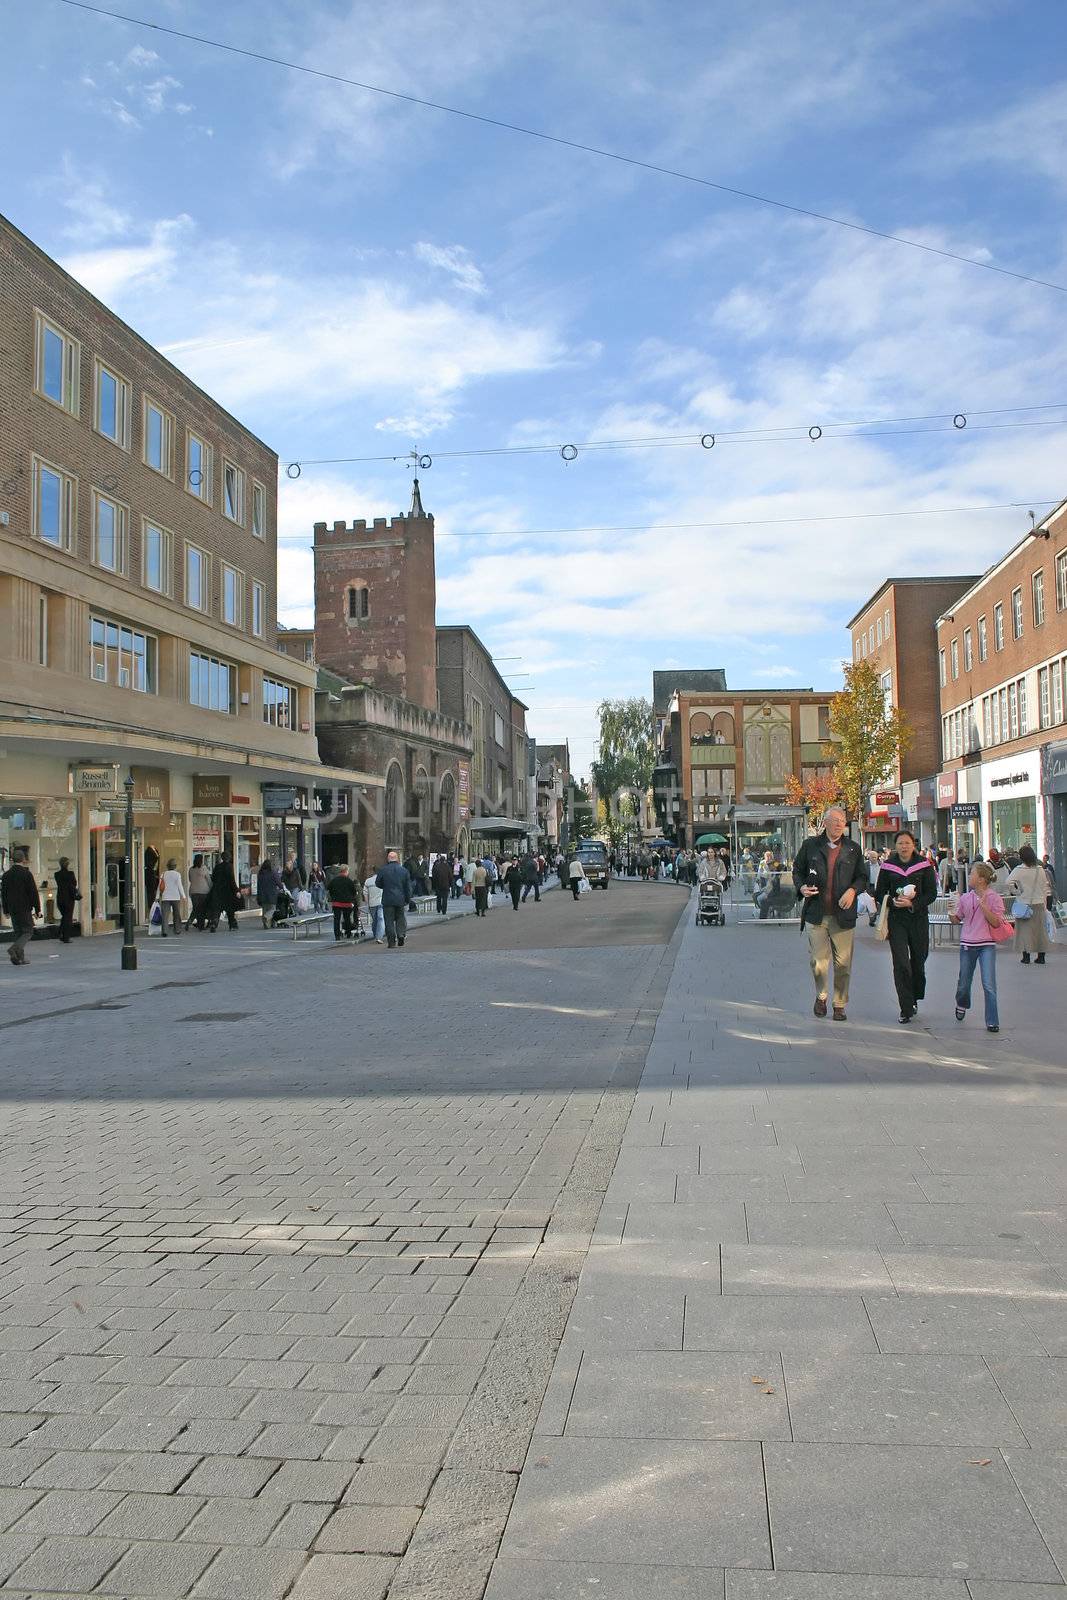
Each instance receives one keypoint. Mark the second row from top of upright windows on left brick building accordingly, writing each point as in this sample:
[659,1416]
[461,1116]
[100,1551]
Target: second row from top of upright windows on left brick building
[55,519]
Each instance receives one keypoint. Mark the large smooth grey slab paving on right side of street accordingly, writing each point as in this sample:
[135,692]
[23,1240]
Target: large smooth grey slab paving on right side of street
[820,1343]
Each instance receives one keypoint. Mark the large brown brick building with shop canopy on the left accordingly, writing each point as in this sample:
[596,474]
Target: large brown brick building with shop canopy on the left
[138,596]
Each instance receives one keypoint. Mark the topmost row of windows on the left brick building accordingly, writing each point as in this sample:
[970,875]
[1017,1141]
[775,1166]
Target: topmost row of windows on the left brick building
[58,378]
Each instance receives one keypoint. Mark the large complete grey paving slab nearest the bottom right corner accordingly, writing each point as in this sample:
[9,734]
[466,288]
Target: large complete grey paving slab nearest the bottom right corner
[901,1511]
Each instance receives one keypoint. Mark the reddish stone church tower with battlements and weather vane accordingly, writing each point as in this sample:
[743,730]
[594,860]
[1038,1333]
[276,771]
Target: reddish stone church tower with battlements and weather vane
[377,602]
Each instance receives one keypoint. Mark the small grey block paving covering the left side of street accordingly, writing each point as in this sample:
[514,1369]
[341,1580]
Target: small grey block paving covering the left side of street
[289,1236]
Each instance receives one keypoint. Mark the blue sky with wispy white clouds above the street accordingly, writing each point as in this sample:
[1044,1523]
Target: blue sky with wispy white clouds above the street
[356,276]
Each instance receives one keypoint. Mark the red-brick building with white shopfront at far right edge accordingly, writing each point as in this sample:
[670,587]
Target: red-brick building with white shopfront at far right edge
[1002,655]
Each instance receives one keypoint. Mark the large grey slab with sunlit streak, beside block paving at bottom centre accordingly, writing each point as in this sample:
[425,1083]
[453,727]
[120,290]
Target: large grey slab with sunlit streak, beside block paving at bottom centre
[642,1503]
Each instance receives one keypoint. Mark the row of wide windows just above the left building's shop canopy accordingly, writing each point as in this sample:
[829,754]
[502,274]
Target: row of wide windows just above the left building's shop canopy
[127,658]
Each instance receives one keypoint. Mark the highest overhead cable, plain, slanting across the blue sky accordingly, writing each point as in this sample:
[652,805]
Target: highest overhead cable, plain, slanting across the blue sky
[569,145]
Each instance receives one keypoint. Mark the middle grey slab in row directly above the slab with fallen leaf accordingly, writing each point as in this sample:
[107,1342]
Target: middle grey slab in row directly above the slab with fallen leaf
[777,1322]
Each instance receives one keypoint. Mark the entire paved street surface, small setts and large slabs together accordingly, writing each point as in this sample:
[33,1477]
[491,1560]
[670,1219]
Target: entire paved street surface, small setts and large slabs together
[559,1254]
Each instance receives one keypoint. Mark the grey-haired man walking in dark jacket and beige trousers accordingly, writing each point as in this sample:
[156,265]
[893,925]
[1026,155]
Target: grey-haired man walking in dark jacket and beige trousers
[829,874]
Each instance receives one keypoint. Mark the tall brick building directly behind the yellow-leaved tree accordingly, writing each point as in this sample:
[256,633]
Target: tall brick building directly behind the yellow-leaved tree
[895,631]
